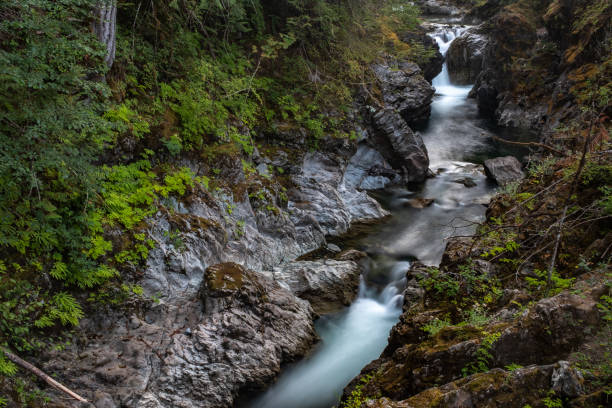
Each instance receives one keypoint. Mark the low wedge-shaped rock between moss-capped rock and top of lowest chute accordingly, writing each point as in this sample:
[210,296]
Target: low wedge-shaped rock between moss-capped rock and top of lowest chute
[328,285]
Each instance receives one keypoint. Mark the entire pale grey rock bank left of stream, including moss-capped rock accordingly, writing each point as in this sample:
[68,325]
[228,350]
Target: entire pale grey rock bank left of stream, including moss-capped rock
[218,331]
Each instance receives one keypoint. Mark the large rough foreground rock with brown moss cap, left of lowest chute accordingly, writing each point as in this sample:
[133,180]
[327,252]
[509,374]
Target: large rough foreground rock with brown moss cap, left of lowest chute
[201,353]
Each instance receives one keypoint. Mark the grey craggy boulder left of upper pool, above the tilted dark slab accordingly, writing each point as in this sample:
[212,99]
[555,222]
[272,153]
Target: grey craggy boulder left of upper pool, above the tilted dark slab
[405,90]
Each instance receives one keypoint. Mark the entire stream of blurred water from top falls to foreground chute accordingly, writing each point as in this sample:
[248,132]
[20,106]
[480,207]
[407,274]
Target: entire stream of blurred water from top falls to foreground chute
[456,138]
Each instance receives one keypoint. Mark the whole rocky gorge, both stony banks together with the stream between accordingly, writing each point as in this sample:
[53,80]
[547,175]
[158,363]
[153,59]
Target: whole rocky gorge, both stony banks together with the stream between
[411,261]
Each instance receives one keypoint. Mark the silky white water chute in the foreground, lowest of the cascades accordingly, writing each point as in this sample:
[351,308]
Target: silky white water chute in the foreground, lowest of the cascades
[350,340]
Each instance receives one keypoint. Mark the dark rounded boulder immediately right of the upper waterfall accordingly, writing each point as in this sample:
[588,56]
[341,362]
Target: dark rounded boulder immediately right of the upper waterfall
[465,57]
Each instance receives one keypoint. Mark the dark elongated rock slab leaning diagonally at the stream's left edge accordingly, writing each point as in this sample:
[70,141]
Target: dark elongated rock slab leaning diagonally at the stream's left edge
[400,146]
